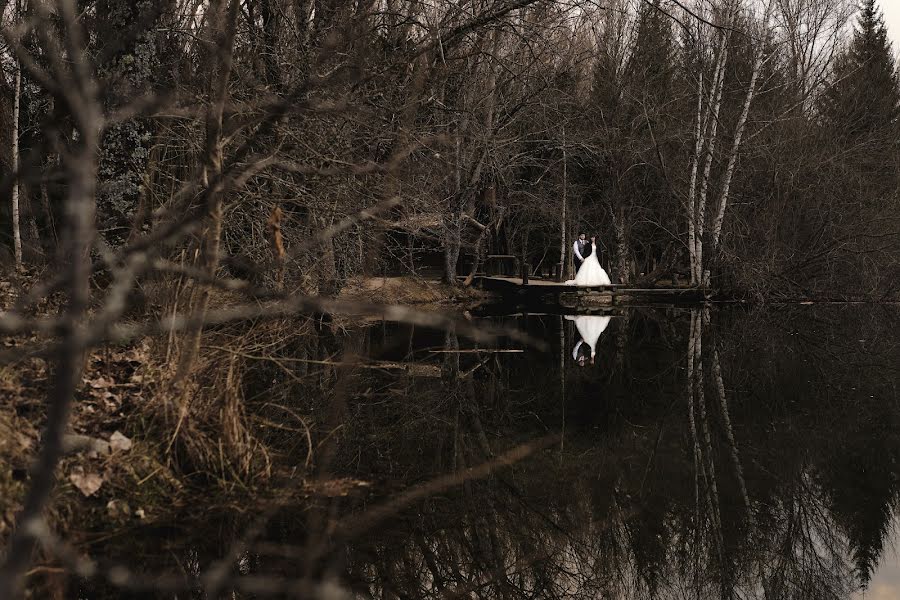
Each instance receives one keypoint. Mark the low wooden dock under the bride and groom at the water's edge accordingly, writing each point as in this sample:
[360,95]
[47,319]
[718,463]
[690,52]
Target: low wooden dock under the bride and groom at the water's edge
[542,292]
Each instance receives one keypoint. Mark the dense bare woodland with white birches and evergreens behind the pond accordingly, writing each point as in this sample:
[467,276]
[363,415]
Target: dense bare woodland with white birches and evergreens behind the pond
[747,145]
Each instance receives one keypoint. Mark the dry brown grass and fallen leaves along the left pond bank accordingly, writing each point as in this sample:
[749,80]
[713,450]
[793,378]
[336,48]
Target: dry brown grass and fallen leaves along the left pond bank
[241,422]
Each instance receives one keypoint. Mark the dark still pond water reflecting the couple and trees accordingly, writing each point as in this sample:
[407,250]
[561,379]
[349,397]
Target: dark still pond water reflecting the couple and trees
[721,453]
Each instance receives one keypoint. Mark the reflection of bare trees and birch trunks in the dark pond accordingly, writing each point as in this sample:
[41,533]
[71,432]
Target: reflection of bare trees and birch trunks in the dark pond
[728,455]
